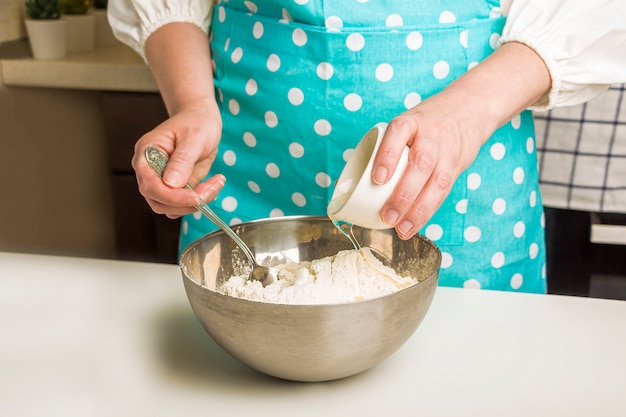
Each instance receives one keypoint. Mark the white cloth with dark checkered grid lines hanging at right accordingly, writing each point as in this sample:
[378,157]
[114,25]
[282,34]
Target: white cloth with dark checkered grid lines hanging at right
[582,154]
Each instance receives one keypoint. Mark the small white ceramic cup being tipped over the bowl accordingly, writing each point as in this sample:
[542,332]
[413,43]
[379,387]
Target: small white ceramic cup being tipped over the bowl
[356,198]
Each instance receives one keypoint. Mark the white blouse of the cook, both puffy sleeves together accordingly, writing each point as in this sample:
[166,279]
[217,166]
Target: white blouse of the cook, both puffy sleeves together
[583,43]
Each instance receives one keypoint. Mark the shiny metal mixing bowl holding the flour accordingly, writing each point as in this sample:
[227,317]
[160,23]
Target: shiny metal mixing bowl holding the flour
[307,342]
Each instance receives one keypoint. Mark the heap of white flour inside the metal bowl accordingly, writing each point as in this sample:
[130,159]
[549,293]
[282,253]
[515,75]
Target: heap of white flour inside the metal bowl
[346,277]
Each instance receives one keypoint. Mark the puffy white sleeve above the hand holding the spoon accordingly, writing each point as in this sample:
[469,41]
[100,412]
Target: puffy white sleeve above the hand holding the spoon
[133,21]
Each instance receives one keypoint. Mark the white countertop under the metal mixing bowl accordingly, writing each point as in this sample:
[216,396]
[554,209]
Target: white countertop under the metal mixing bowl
[83,337]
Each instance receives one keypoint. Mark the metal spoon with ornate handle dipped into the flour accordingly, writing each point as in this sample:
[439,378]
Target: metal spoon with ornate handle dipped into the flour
[157,160]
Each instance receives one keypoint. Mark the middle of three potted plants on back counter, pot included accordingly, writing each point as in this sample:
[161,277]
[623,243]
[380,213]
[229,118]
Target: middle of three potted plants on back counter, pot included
[81,25]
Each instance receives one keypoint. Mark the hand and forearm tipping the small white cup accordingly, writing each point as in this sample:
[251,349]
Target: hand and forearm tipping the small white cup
[445,132]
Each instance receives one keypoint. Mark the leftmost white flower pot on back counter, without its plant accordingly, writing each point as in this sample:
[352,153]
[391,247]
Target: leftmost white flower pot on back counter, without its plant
[48,38]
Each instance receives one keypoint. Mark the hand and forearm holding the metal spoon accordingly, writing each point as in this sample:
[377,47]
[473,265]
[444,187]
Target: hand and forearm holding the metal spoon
[180,60]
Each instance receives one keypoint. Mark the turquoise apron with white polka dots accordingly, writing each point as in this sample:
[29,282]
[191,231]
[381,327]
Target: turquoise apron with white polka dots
[299,82]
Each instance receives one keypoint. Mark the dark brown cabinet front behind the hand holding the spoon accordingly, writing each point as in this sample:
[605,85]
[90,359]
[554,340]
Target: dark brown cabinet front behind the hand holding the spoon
[141,235]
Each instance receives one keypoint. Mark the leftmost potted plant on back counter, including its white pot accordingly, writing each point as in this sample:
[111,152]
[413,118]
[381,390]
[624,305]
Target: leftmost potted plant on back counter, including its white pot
[47,32]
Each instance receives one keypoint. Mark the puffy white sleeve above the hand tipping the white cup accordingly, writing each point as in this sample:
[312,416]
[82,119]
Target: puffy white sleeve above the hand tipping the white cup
[582,42]
